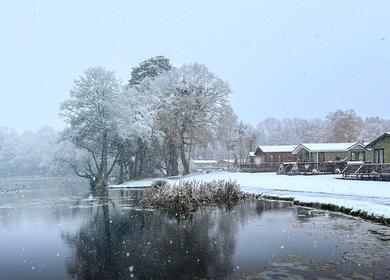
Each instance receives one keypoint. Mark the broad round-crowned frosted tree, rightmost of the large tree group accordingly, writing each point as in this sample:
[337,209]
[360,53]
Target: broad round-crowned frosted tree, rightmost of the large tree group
[191,101]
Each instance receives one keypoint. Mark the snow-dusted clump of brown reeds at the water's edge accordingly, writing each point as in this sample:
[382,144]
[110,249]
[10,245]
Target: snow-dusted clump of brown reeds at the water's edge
[190,195]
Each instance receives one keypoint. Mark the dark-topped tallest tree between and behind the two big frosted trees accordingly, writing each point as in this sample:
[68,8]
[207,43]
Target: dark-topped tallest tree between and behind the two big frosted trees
[137,157]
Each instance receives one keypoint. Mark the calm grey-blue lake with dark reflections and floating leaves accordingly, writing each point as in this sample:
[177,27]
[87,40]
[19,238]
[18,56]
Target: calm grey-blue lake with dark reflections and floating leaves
[56,229]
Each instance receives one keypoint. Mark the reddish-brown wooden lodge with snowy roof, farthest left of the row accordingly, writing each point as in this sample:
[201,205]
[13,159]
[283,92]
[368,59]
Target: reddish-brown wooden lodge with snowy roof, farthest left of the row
[268,158]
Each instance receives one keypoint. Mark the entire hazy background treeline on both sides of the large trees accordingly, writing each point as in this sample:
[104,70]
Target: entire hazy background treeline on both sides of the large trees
[35,153]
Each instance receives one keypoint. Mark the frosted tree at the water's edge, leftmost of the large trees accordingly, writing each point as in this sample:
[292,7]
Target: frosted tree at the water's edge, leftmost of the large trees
[92,114]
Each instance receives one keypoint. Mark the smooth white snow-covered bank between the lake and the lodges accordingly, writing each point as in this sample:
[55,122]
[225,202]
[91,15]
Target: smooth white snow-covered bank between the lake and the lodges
[370,196]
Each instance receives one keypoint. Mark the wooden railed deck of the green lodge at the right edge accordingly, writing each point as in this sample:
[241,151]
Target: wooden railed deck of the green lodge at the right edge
[367,171]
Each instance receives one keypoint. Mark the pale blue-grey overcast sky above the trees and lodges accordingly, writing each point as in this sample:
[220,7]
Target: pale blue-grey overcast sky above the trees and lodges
[281,58]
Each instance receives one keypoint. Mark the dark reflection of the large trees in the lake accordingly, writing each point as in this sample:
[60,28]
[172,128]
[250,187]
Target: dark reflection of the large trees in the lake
[152,245]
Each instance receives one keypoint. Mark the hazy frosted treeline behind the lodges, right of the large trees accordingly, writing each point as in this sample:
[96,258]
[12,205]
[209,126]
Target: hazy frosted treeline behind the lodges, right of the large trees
[338,126]
